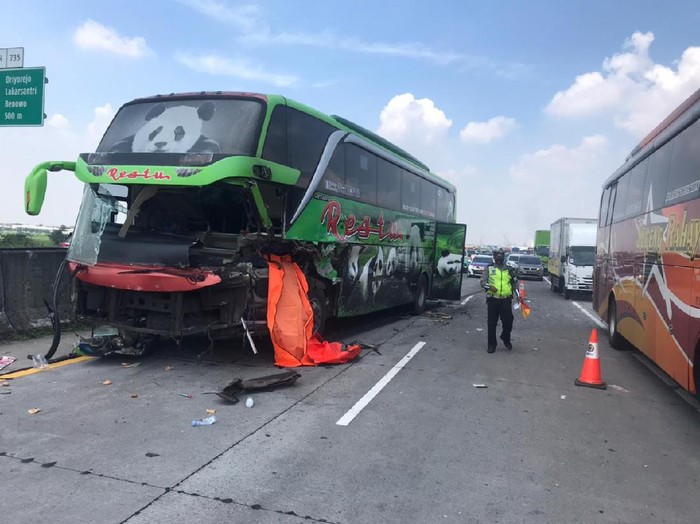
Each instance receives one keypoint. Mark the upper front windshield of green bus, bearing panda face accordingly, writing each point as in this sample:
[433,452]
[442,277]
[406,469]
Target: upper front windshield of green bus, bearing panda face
[216,126]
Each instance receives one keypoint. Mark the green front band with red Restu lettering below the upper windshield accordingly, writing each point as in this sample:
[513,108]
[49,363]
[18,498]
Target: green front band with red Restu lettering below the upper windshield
[226,168]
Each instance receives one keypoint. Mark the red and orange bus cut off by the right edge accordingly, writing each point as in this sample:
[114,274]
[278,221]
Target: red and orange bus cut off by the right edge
[647,272]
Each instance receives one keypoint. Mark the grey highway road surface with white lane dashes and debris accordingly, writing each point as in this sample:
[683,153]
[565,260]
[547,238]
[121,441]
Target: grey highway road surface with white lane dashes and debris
[427,447]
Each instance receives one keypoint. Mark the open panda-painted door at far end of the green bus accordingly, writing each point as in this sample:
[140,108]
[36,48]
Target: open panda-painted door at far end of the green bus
[448,261]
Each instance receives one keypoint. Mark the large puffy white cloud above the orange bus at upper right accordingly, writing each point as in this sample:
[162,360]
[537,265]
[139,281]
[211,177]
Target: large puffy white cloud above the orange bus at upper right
[636,92]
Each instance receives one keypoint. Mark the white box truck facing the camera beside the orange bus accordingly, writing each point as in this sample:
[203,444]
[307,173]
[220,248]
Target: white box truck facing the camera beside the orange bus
[572,255]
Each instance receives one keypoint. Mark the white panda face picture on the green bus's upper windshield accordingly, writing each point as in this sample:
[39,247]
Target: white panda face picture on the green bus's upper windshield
[175,129]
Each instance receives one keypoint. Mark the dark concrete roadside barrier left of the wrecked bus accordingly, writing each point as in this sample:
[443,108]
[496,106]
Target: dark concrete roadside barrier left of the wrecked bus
[26,281]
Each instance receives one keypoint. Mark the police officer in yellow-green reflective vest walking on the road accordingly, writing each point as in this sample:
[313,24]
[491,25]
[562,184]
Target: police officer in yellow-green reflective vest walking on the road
[499,281]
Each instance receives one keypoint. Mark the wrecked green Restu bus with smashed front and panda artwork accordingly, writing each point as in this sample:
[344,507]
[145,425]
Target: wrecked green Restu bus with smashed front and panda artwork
[187,195]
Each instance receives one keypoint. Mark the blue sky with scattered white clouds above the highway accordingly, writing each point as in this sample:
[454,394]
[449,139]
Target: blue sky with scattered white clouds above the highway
[526,106]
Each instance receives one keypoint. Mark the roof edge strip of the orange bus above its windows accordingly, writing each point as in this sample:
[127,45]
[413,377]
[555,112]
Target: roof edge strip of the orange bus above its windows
[679,119]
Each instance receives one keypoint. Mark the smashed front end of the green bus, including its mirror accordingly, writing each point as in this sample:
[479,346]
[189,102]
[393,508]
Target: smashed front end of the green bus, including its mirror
[172,224]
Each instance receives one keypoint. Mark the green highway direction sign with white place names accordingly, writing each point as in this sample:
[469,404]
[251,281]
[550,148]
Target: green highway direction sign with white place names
[22,96]
